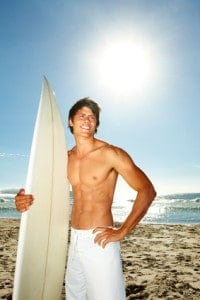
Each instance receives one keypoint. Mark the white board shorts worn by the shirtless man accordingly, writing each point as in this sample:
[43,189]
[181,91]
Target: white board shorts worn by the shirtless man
[93,273]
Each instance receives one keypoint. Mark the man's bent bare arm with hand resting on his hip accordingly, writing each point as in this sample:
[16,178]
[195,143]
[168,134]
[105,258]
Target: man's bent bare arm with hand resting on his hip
[138,180]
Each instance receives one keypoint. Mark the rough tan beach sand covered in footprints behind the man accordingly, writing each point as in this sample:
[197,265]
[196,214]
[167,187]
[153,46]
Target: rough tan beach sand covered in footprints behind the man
[159,261]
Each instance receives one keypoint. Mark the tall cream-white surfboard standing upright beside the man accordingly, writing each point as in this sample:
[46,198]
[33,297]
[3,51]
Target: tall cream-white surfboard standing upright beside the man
[43,234]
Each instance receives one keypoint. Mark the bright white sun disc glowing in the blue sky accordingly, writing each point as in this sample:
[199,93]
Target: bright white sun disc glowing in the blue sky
[125,66]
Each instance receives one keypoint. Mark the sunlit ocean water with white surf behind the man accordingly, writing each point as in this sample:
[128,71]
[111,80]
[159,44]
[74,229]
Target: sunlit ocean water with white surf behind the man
[166,209]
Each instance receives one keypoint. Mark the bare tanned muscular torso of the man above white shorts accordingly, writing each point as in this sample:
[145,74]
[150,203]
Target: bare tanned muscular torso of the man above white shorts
[93,182]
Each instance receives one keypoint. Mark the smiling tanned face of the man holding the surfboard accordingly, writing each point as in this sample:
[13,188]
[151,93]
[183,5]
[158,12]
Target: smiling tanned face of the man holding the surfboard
[83,122]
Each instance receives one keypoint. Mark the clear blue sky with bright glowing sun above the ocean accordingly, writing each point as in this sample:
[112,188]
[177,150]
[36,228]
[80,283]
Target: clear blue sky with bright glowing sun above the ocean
[139,59]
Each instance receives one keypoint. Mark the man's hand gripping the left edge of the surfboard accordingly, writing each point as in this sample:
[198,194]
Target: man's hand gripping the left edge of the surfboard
[23,201]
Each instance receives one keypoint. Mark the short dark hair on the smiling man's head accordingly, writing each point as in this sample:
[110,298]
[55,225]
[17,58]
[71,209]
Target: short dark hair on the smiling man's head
[81,103]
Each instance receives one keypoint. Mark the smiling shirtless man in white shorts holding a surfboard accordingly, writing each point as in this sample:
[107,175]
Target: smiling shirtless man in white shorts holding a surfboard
[94,270]
